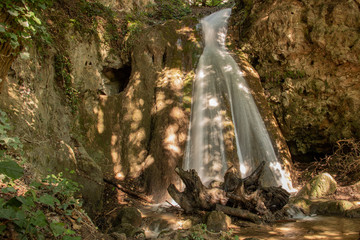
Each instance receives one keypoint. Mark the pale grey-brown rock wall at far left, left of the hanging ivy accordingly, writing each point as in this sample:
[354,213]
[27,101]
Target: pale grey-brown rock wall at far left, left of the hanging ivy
[41,117]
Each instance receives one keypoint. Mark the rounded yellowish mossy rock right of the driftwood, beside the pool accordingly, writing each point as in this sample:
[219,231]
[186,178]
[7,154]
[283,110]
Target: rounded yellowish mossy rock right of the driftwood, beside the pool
[320,186]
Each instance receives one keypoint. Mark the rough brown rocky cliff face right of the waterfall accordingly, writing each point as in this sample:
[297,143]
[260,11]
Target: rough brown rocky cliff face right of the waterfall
[307,55]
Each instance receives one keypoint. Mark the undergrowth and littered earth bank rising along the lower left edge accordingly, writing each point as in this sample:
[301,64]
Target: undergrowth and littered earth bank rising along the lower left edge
[31,209]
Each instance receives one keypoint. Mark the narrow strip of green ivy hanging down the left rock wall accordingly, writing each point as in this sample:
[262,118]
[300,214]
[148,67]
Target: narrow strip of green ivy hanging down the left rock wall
[63,70]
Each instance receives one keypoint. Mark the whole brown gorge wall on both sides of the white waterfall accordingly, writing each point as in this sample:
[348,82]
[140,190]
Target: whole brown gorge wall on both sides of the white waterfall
[114,101]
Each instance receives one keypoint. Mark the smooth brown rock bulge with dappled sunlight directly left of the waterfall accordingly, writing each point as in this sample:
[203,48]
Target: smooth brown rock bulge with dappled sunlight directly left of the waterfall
[142,130]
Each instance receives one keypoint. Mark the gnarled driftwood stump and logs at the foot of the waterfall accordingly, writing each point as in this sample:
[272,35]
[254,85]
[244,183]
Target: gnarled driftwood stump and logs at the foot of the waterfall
[243,198]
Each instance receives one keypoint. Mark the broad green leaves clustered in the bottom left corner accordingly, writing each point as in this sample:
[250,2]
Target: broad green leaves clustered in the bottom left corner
[28,213]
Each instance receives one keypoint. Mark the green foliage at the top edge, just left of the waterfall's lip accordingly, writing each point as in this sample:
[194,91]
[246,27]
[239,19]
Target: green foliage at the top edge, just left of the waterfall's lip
[172,9]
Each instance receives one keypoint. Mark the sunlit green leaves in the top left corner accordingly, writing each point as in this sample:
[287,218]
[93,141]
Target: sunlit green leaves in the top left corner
[26,22]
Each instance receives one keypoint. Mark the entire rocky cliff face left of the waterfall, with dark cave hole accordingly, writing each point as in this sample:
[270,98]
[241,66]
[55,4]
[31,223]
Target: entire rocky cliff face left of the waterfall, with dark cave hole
[119,114]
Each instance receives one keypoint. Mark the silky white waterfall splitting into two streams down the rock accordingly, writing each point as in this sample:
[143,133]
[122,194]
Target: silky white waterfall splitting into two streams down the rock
[219,80]
